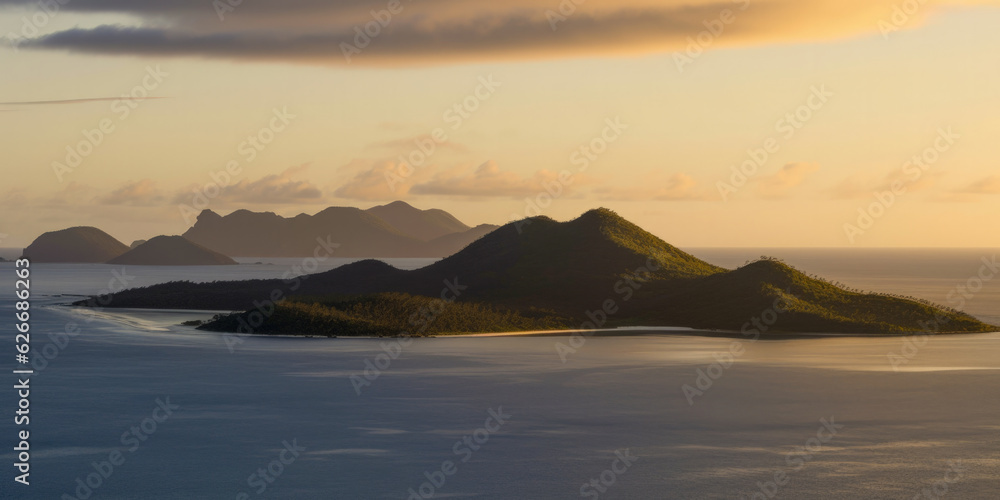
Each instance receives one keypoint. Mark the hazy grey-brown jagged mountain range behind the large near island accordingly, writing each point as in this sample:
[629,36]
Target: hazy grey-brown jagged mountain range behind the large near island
[359,233]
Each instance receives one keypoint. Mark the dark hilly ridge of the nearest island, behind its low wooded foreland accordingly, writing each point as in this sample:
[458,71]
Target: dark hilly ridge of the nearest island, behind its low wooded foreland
[599,269]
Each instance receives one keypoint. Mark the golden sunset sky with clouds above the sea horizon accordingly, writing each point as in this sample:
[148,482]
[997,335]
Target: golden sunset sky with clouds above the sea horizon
[746,123]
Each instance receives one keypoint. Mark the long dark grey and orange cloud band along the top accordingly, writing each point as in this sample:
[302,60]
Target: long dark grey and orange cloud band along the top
[442,31]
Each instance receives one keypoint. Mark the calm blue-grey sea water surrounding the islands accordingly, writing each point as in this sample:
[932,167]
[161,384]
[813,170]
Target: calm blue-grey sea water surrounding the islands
[825,418]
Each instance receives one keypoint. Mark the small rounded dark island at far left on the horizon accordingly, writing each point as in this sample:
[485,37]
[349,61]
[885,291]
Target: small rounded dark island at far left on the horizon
[75,245]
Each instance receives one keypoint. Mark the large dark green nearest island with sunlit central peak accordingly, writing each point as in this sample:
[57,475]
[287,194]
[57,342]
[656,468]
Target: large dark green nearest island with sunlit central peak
[597,271]
